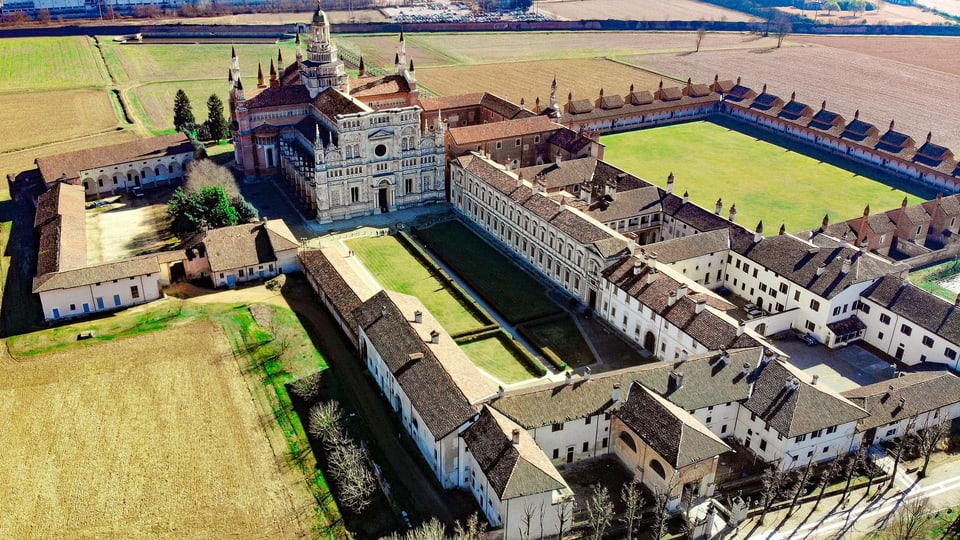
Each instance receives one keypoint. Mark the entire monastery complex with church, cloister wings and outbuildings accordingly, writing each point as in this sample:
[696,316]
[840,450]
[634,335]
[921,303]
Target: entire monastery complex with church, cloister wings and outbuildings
[665,274]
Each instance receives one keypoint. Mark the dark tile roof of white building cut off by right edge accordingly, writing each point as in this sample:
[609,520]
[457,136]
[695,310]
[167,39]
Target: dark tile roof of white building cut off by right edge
[917,305]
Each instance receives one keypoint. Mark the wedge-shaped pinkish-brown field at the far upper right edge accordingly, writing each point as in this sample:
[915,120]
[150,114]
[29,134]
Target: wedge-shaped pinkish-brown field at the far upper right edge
[932,52]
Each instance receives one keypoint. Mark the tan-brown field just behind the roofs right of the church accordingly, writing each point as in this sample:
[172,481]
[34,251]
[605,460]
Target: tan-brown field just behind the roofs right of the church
[528,80]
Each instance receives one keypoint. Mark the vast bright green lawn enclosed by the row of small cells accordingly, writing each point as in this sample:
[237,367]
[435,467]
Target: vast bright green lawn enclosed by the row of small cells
[767,182]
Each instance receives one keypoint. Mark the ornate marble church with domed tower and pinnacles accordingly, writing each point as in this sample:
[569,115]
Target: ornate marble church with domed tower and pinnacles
[348,147]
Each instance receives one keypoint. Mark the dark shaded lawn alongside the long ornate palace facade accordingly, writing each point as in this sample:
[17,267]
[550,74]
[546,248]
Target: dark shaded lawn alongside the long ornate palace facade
[510,290]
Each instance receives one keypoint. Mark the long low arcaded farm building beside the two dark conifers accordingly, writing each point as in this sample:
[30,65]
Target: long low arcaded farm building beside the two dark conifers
[118,168]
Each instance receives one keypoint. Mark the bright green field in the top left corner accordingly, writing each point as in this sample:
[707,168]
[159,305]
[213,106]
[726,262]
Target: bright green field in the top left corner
[48,63]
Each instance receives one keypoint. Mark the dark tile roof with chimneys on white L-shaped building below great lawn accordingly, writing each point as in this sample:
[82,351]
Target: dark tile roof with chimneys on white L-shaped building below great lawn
[798,261]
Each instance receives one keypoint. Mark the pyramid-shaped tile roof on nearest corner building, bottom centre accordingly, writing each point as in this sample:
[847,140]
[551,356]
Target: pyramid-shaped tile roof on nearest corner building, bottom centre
[513,470]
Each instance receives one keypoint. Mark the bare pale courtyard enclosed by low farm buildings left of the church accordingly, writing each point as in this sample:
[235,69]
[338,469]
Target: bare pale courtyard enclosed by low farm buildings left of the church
[128,227]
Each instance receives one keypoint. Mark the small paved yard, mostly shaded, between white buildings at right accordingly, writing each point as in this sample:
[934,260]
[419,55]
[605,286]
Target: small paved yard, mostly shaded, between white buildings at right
[840,369]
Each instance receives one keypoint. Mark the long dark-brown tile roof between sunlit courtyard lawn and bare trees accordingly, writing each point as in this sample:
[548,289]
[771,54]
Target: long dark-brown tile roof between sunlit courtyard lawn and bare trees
[431,390]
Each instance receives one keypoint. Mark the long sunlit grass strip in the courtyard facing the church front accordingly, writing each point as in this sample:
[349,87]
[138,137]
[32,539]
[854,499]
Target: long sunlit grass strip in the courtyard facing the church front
[397,270]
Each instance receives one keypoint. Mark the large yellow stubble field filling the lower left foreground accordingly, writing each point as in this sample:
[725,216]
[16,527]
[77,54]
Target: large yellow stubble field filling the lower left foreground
[151,436]
